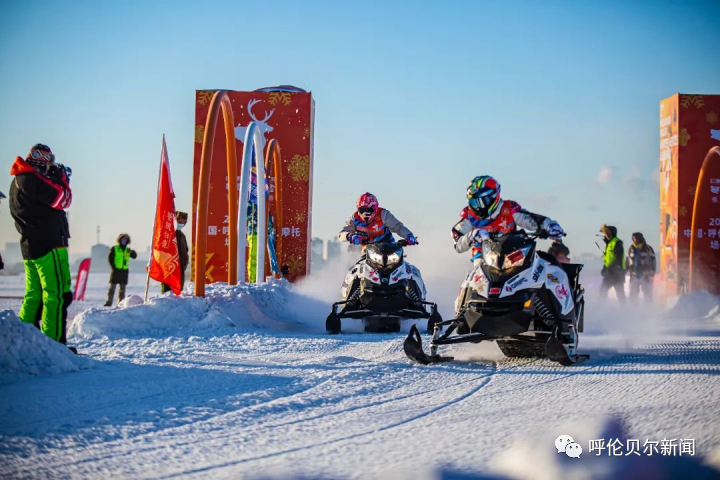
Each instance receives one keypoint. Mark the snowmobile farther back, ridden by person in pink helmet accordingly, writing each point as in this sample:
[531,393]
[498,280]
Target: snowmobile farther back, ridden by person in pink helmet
[382,289]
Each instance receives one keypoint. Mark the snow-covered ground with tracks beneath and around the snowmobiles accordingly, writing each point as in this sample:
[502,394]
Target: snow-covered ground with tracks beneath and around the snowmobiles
[245,383]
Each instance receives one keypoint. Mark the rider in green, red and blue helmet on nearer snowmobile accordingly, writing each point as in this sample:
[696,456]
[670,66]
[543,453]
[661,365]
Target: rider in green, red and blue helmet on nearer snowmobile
[487,213]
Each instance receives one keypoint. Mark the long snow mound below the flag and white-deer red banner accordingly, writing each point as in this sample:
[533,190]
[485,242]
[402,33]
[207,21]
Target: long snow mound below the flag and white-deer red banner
[276,306]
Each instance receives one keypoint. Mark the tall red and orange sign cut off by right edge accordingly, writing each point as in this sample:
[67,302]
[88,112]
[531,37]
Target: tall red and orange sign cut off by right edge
[689,128]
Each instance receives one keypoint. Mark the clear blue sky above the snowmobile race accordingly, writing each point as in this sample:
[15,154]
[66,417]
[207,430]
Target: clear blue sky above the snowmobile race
[413,99]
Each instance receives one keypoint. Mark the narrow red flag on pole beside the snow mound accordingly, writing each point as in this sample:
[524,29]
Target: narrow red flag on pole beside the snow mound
[165,261]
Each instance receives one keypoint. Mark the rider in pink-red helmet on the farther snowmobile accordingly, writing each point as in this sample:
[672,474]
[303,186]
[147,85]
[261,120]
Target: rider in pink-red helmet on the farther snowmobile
[373,224]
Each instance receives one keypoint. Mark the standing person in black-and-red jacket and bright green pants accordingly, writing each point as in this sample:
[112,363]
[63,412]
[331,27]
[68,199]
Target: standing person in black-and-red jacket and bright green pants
[39,195]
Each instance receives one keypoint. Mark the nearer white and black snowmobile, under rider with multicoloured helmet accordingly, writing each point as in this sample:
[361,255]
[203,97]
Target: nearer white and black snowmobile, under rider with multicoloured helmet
[522,298]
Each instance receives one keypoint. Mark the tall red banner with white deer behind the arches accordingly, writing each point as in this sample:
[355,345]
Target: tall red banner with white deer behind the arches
[288,118]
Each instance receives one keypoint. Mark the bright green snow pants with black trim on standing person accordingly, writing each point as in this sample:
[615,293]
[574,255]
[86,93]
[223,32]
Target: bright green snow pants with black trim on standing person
[48,293]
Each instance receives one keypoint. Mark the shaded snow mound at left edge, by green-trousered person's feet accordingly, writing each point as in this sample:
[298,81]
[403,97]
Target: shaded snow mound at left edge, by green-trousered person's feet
[24,349]
